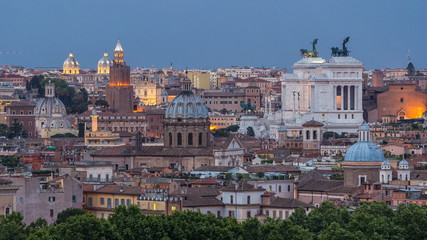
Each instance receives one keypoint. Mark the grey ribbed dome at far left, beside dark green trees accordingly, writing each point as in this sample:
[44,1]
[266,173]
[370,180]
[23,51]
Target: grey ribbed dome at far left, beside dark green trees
[50,106]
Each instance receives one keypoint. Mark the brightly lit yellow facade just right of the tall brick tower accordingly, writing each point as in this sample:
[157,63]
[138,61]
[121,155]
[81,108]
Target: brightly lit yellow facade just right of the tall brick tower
[148,93]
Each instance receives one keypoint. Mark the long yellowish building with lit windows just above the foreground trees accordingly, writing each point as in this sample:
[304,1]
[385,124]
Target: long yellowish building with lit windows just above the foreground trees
[101,202]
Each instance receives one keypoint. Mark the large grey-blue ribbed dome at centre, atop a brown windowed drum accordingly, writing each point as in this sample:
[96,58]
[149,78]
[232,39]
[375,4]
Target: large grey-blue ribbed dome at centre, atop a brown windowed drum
[187,105]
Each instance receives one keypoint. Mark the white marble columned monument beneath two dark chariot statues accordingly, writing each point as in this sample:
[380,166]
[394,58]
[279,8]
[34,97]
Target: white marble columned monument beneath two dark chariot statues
[326,91]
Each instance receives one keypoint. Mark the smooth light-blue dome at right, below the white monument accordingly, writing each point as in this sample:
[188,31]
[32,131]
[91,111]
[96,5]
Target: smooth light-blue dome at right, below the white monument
[364,151]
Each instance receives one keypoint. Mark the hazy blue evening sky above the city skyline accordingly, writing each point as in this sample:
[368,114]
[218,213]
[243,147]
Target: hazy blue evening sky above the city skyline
[211,33]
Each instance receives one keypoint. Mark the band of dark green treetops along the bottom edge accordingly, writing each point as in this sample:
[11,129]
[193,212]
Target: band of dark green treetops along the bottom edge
[369,221]
